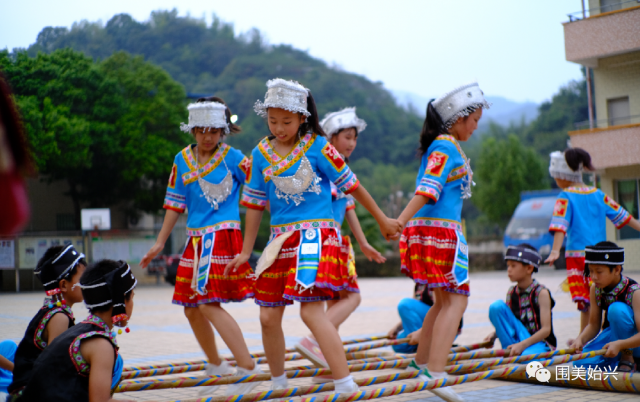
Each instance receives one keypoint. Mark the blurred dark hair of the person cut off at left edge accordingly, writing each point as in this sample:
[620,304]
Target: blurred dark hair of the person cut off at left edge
[16,136]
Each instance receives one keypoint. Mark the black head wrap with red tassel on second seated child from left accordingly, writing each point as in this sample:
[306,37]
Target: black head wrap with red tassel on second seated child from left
[111,289]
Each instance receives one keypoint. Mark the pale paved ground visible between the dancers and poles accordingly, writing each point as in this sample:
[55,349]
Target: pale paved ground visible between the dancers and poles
[160,333]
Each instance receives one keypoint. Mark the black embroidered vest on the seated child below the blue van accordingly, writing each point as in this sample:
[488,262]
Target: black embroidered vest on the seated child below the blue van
[526,307]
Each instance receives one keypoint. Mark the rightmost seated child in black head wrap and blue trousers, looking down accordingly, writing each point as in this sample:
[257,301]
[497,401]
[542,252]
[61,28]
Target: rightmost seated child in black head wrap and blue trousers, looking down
[616,295]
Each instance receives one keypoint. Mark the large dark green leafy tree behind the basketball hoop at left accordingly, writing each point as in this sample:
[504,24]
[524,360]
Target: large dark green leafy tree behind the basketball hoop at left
[108,129]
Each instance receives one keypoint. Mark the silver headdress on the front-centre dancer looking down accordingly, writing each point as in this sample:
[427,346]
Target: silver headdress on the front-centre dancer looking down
[283,94]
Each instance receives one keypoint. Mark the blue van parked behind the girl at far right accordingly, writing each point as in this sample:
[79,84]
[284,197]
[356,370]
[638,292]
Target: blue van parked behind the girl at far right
[530,223]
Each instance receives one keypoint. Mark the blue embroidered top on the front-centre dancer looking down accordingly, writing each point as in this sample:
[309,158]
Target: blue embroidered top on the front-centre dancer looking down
[315,211]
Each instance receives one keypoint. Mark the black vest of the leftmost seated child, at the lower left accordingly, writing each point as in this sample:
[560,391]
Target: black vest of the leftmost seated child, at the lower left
[32,345]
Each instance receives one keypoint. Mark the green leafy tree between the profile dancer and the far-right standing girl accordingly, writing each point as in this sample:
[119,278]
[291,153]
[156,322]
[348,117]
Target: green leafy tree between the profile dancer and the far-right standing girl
[505,168]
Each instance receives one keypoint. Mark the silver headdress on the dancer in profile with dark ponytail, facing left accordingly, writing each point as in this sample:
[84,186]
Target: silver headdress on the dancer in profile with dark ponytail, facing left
[460,102]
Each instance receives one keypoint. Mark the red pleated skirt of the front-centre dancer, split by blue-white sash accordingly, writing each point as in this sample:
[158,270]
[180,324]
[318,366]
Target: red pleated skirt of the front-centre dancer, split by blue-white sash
[276,286]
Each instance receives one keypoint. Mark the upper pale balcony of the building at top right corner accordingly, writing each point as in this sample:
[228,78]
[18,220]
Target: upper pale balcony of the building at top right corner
[604,34]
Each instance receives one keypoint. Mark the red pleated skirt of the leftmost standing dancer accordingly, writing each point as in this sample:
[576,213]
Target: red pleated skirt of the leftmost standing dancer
[220,289]
